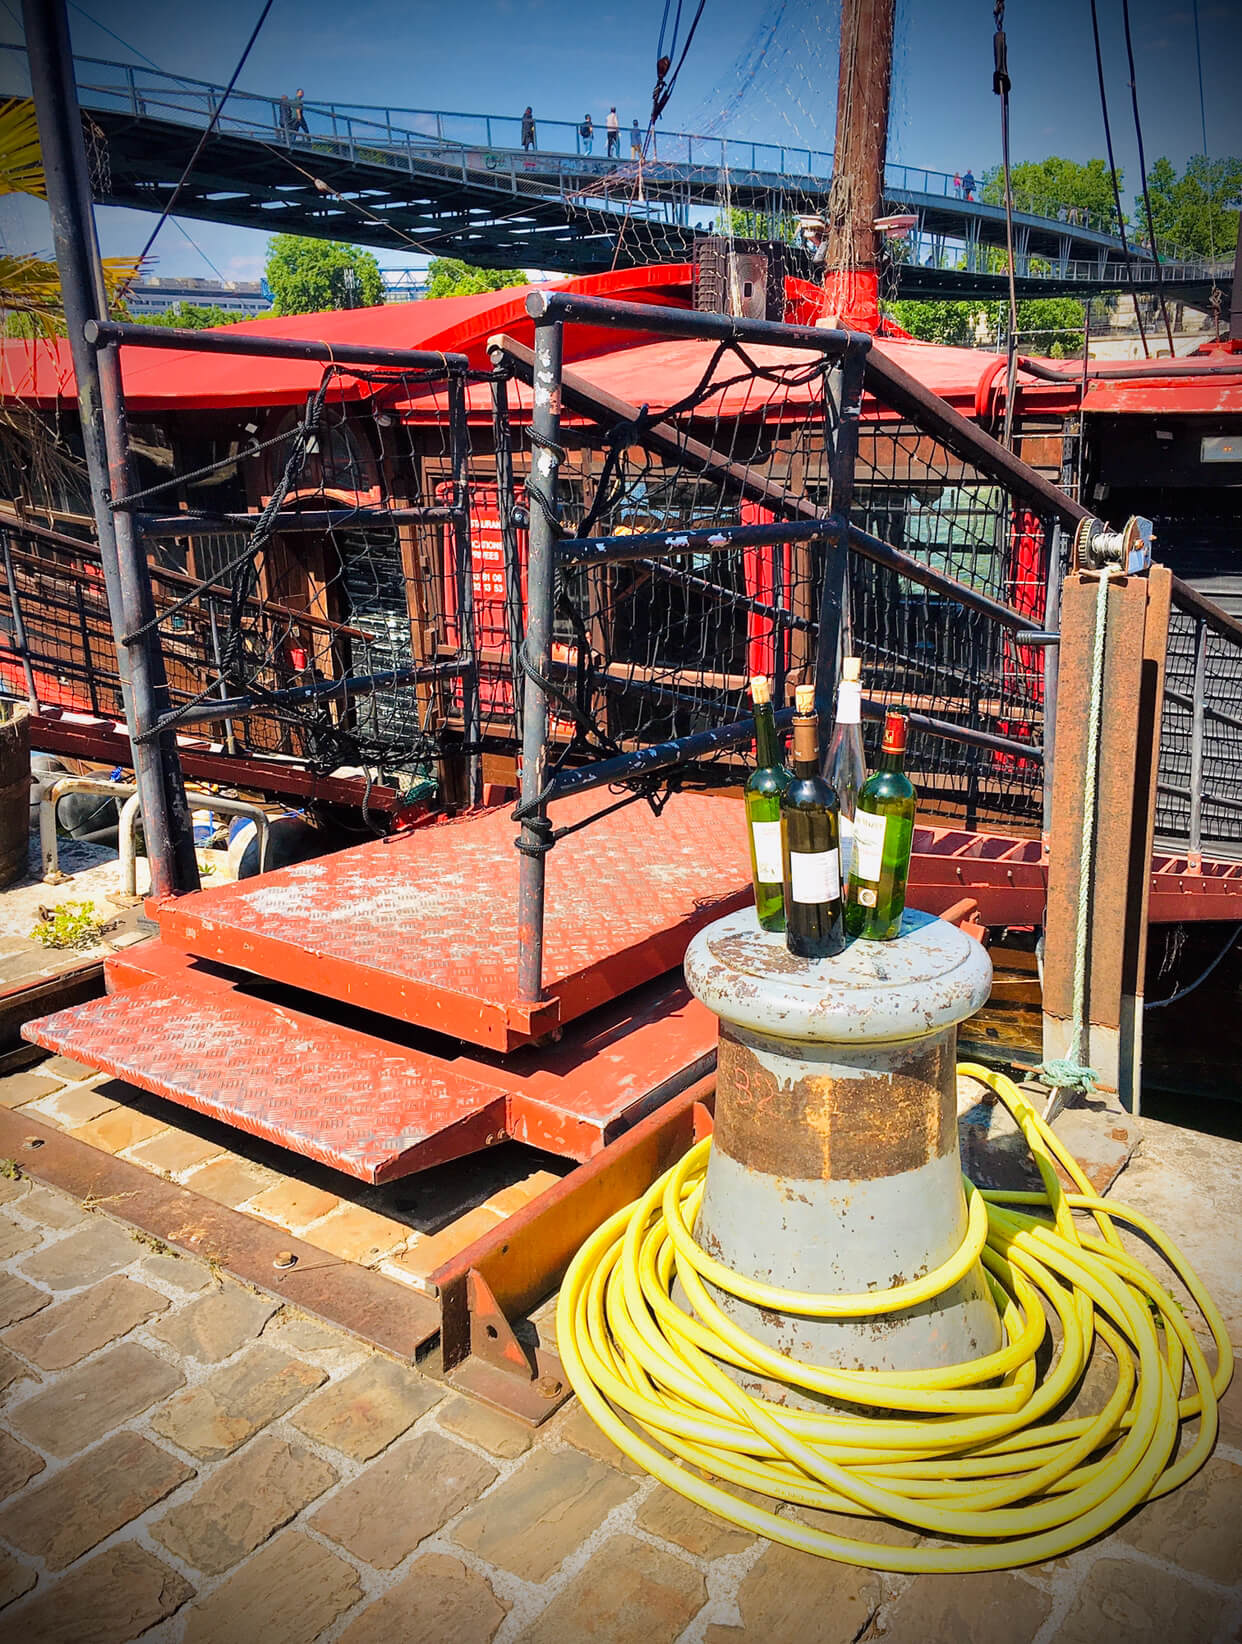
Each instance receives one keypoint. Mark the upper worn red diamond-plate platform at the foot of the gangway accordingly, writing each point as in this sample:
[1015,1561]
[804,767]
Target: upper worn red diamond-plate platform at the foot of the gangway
[424,926]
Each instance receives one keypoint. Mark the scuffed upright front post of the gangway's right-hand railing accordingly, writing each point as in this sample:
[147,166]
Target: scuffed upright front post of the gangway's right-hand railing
[545,461]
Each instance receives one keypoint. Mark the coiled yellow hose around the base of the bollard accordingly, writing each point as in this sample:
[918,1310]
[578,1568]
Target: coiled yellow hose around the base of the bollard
[973,1452]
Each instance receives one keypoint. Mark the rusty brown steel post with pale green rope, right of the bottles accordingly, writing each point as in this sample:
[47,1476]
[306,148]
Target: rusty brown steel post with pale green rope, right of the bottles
[1121,846]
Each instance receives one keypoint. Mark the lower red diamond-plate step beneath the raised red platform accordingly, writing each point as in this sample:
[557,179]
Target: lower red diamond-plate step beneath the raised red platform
[366,1104]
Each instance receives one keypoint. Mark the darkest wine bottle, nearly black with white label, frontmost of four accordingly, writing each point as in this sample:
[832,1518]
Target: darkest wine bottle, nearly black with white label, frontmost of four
[813,926]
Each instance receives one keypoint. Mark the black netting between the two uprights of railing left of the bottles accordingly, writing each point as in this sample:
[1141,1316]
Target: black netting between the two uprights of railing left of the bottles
[664,647]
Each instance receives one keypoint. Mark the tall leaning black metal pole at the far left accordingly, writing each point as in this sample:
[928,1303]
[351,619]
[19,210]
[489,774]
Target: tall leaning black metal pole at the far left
[170,841]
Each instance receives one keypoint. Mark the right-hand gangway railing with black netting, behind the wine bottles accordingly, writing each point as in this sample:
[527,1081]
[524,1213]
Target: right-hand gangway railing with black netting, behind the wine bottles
[999,719]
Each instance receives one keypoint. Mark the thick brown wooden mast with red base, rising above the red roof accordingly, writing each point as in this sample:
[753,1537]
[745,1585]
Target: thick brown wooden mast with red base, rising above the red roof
[856,200]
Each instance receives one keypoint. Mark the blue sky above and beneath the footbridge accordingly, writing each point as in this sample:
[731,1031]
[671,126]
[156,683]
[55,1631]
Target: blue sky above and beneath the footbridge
[567,57]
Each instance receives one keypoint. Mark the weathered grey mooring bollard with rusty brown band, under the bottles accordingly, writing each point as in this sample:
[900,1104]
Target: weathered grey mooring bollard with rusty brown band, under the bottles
[835,1165]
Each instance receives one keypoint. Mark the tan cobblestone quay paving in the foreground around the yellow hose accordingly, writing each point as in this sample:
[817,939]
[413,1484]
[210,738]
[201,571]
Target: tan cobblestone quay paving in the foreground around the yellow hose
[187,1459]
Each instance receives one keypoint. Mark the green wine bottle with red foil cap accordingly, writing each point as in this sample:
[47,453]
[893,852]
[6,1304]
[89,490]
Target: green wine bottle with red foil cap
[884,834]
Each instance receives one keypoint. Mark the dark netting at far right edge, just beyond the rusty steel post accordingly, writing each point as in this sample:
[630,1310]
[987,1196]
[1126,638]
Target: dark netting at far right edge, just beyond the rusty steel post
[1208,698]
